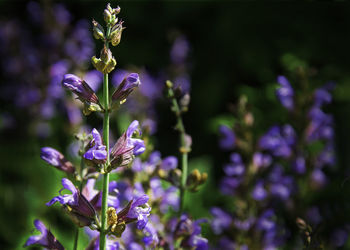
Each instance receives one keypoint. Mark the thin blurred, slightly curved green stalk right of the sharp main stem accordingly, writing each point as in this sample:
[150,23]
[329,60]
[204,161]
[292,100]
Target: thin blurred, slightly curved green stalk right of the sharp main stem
[183,148]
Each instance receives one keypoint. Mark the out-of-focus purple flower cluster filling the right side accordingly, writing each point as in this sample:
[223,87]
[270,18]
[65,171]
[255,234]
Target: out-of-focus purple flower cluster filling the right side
[267,176]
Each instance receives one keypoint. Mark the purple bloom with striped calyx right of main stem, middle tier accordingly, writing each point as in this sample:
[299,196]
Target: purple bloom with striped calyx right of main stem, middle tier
[126,146]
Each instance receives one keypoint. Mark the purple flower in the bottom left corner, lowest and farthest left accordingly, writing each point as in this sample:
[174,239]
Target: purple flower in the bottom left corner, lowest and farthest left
[46,239]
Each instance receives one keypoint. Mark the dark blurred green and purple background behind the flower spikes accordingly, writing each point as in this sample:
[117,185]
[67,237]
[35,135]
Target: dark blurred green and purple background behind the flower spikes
[234,49]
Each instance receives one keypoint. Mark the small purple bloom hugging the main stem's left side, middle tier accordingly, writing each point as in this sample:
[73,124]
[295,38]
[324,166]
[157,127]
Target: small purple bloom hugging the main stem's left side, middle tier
[97,151]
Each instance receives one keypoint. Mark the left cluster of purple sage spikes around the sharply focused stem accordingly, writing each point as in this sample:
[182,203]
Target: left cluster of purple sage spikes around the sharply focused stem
[143,206]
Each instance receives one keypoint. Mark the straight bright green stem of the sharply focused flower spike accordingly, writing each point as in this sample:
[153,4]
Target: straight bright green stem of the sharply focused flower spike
[104,207]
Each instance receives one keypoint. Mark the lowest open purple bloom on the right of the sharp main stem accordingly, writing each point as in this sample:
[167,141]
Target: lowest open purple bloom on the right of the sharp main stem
[139,210]
